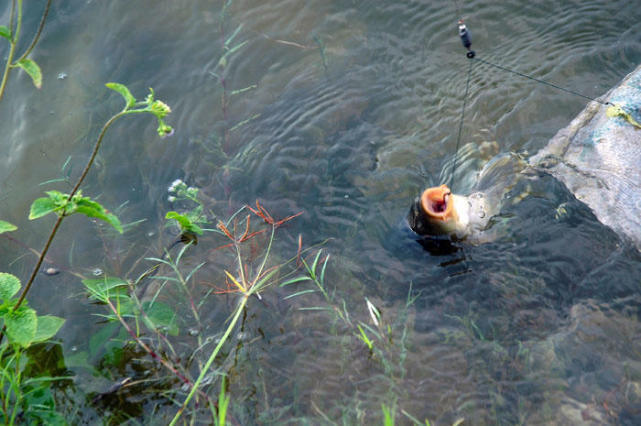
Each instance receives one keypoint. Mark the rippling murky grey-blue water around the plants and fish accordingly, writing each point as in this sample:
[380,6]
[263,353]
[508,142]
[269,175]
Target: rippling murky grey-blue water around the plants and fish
[352,108]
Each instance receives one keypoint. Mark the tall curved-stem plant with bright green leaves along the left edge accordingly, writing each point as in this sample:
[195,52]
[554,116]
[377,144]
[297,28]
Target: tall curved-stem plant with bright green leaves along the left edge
[20,323]
